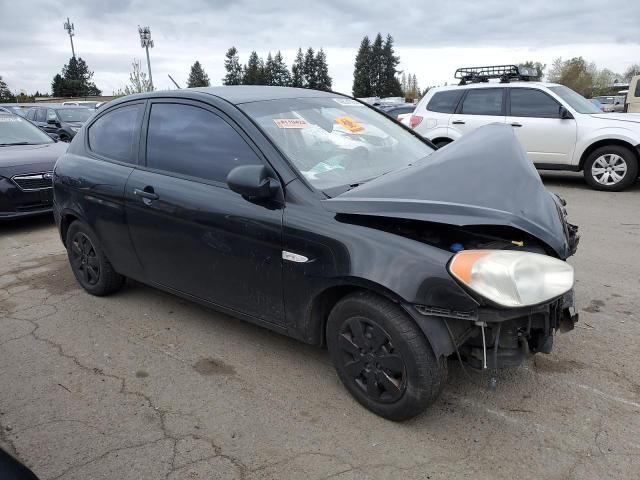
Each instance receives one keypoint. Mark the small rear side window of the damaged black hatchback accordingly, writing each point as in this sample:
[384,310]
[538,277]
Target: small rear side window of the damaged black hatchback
[114,135]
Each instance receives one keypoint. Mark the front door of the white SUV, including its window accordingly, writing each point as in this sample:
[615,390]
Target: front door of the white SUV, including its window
[547,138]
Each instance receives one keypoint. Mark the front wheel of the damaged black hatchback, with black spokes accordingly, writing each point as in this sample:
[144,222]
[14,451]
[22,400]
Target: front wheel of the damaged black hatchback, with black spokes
[382,357]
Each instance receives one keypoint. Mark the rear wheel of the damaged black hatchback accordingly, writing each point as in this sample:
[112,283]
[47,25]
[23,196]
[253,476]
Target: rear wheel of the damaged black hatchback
[88,262]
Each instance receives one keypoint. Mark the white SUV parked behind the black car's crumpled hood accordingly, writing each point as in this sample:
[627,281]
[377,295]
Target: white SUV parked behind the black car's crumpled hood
[558,128]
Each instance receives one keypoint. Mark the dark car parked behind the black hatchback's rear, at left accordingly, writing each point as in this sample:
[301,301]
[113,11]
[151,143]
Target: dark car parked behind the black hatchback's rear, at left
[65,121]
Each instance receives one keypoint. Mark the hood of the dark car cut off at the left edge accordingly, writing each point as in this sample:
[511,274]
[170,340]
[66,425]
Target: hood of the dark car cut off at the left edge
[20,159]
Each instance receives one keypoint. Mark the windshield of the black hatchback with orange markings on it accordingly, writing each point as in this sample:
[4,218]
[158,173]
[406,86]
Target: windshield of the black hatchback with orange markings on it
[336,142]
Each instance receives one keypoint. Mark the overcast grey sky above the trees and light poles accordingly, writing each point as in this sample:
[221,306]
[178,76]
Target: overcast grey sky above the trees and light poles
[431,38]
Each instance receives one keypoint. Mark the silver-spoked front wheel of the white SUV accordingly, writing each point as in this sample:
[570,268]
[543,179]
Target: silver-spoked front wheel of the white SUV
[611,168]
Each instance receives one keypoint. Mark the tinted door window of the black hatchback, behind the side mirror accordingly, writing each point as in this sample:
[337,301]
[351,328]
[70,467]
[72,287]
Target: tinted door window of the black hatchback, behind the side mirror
[192,141]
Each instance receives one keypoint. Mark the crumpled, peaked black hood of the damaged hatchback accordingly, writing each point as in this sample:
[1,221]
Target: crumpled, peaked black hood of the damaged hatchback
[484,178]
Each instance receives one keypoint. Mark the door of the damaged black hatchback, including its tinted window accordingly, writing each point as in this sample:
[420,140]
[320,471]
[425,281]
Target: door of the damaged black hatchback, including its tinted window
[191,233]
